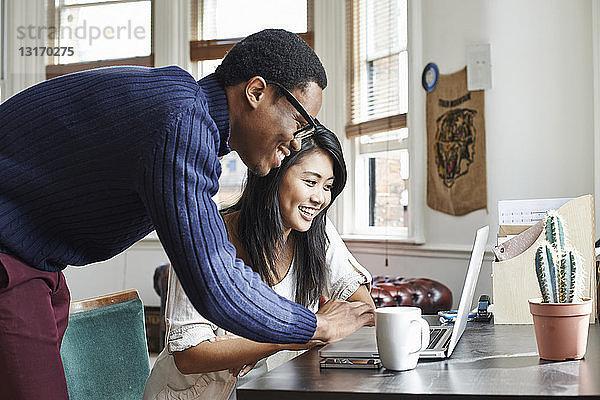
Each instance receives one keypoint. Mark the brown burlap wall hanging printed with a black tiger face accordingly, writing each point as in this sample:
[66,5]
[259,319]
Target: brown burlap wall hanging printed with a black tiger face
[456,182]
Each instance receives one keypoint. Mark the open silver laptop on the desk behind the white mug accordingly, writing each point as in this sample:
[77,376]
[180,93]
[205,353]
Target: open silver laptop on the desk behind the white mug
[443,339]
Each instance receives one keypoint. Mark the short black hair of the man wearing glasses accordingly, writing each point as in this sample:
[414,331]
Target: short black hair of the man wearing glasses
[276,55]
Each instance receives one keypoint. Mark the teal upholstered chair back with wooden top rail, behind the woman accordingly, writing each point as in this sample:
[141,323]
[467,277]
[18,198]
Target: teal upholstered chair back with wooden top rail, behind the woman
[104,349]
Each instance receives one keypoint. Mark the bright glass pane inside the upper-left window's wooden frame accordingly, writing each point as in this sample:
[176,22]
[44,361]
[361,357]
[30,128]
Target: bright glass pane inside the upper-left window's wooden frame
[105,31]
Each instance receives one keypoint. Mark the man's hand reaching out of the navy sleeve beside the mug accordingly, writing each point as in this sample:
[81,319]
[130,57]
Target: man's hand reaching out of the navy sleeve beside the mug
[337,319]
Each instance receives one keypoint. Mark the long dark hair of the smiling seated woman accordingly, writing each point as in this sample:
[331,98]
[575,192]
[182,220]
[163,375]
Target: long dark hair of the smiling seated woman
[260,225]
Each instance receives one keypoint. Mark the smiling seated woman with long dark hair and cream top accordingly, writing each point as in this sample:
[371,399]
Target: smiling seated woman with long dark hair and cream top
[279,227]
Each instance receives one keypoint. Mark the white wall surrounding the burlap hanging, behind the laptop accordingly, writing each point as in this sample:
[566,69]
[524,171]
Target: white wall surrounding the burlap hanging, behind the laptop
[539,120]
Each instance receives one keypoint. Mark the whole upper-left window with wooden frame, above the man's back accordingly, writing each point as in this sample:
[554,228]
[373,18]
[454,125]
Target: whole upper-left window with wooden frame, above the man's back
[89,34]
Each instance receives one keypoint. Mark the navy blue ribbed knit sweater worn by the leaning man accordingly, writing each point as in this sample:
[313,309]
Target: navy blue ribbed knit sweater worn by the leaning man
[92,162]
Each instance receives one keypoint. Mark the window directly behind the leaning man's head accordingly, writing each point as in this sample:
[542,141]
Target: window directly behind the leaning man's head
[216,26]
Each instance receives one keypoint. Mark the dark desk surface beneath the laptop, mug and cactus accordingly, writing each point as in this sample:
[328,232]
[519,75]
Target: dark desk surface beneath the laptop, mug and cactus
[491,361]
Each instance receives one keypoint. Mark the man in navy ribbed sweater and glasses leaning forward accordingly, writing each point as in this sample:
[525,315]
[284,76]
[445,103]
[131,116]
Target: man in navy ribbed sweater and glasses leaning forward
[92,162]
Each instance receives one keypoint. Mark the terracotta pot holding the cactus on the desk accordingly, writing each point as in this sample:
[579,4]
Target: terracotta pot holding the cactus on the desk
[561,328]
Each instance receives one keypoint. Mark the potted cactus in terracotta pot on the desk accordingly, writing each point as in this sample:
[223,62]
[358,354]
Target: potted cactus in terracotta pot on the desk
[561,315]
